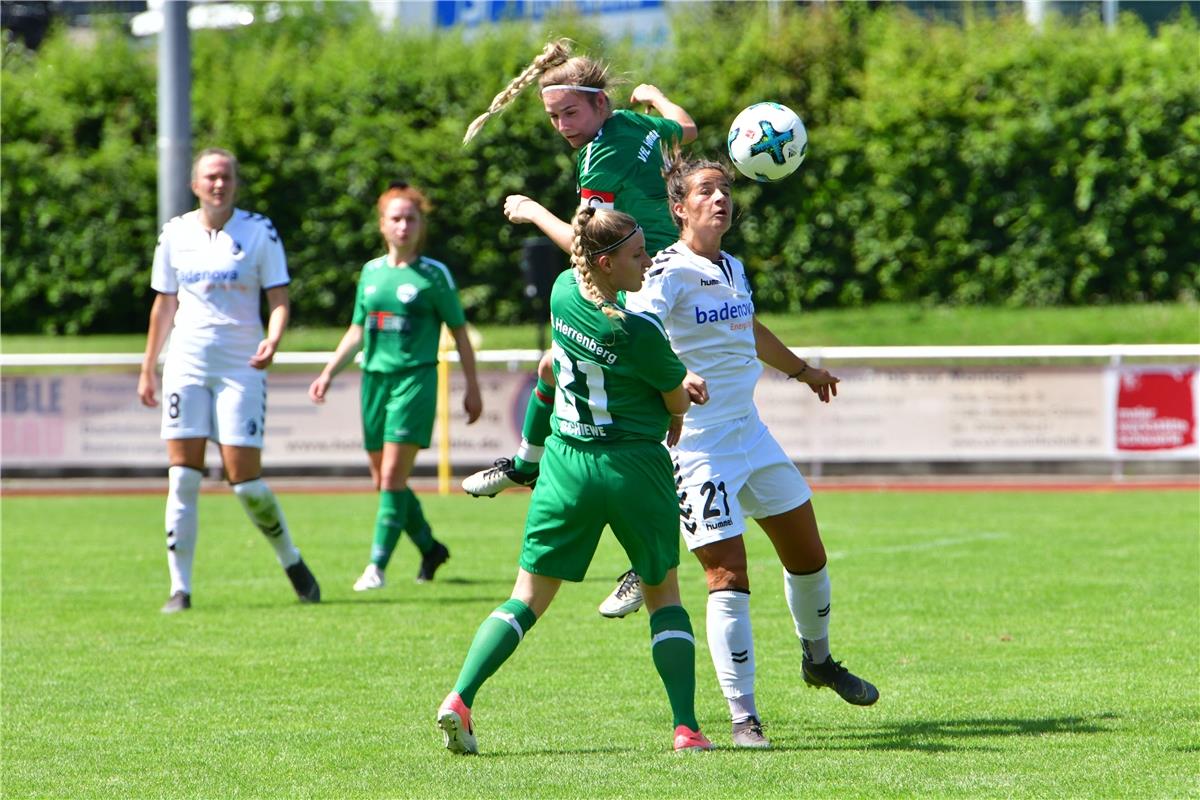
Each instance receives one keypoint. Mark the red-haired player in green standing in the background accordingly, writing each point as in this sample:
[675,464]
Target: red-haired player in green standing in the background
[403,300]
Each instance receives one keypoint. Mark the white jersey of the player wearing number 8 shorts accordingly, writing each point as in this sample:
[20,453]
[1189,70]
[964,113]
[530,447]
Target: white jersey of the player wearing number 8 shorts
[219,278]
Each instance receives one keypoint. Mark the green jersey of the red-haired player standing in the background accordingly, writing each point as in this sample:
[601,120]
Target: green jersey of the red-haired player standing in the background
[401,310]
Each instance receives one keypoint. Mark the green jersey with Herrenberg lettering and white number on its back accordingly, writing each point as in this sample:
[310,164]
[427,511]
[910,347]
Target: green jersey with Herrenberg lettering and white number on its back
[611,374]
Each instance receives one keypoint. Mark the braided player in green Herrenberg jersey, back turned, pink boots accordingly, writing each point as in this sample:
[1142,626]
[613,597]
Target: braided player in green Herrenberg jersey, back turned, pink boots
[620,386]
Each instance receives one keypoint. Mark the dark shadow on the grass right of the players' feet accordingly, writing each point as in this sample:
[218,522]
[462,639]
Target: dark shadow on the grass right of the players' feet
[950,736]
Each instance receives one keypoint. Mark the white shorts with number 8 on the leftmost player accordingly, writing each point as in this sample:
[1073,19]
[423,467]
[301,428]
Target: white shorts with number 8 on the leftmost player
[230,410]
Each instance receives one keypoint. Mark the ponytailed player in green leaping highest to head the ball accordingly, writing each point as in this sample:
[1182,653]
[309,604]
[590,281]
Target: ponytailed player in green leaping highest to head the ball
[620,166]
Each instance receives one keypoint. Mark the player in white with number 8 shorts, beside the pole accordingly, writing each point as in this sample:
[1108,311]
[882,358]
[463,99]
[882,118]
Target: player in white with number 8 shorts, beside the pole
[211,269]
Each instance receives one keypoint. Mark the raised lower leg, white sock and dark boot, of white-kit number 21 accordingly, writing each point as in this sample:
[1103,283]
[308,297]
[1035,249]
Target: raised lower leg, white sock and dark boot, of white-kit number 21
[809,600]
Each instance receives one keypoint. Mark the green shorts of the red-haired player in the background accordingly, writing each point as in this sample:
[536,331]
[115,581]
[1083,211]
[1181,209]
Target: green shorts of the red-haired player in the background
[399,407]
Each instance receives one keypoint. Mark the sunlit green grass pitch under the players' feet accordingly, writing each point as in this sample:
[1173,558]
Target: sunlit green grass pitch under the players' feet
[1027,646]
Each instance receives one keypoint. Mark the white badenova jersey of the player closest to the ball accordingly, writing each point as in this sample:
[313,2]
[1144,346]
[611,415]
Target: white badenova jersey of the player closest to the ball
[709,314]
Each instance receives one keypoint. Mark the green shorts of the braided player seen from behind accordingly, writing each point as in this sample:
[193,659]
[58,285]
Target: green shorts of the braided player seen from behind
[628,488]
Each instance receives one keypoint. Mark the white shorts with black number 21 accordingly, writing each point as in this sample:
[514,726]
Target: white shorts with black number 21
[730,472]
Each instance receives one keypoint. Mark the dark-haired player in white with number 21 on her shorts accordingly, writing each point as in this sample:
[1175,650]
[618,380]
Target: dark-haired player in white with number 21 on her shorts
[728,465]
